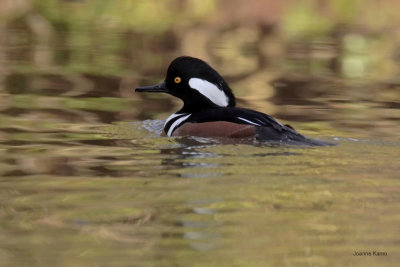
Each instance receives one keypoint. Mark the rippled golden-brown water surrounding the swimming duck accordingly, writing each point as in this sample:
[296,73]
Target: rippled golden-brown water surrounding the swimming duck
[87,180]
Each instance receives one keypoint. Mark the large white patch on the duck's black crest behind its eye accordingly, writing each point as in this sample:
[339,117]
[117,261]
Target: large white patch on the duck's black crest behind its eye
[209,90]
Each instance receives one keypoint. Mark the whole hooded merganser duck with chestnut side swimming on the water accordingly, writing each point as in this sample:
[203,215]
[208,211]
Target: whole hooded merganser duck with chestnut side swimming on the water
[209,107]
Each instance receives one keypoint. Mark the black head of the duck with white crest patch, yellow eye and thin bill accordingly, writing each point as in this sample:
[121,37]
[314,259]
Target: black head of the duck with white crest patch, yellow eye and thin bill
[196,83]
